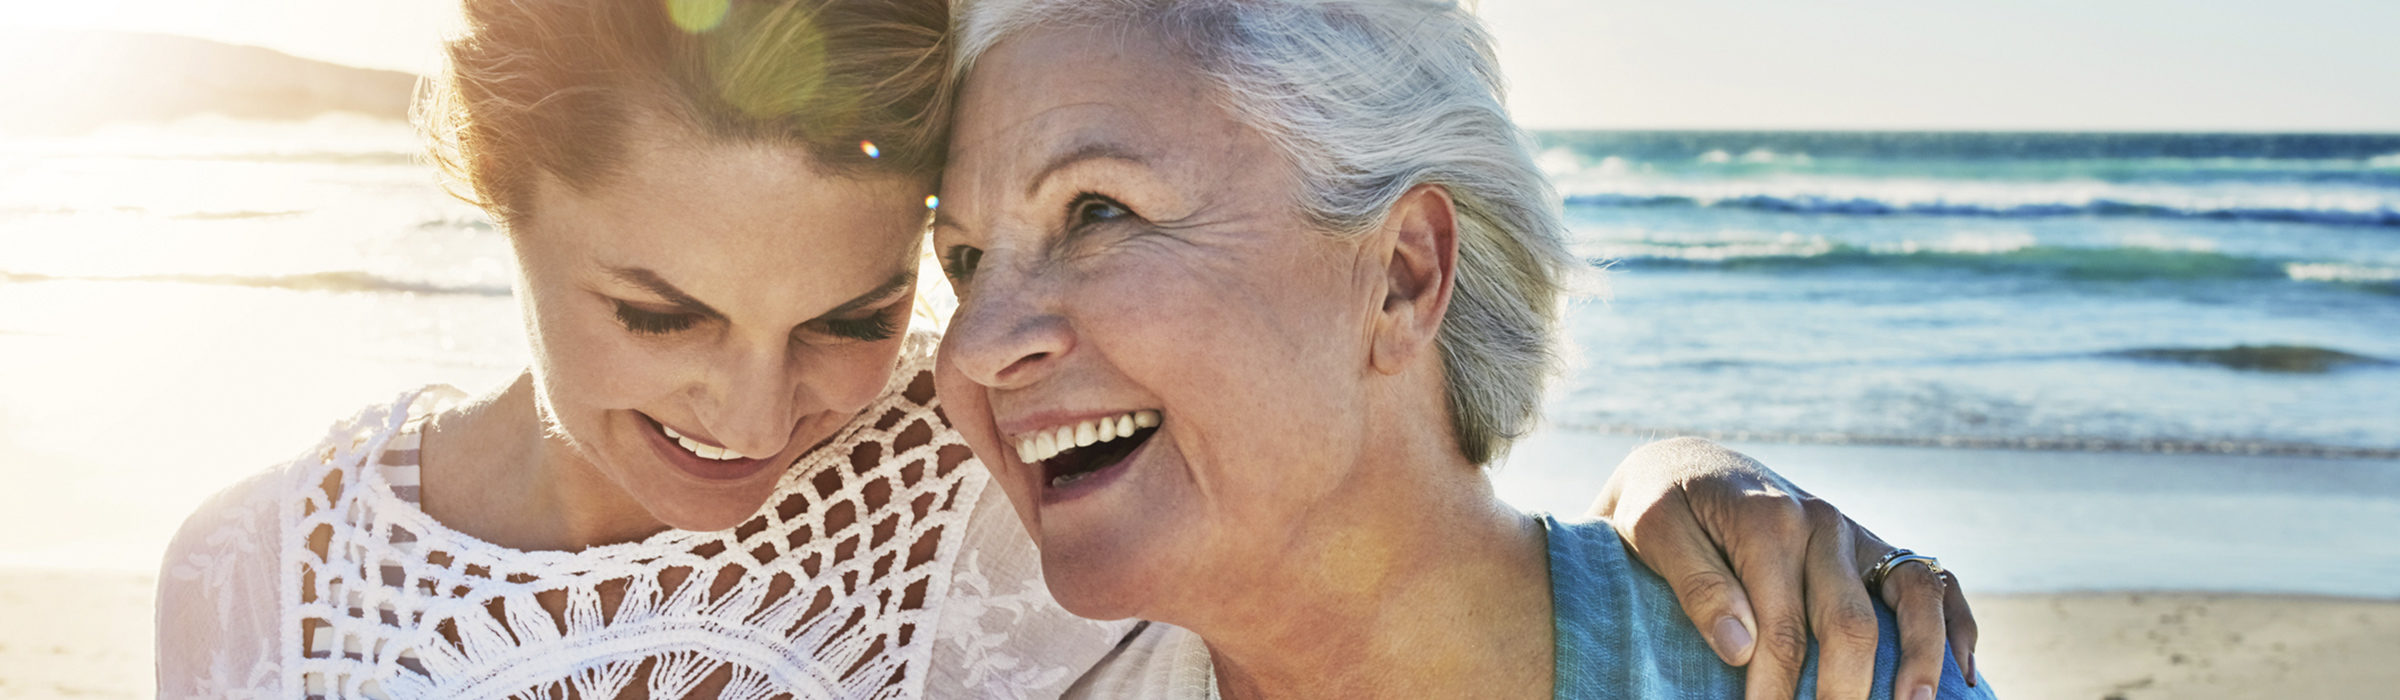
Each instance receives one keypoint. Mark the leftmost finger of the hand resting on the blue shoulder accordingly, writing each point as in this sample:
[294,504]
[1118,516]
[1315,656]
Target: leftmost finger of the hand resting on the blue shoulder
[1672,543]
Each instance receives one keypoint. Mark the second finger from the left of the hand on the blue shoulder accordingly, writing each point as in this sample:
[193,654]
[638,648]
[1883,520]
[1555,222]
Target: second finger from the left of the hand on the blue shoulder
[1772,579]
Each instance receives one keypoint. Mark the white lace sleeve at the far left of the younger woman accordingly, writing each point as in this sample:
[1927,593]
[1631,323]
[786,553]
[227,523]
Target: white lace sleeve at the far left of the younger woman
[217,596]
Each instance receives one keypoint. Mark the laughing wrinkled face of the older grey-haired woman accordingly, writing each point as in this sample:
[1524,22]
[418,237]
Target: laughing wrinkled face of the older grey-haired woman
[1139,253]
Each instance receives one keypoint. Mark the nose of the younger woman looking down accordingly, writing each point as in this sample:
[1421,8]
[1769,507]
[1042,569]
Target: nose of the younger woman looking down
[752,399]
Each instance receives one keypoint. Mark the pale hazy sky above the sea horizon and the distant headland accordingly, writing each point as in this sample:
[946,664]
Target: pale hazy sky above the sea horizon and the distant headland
[1712,64]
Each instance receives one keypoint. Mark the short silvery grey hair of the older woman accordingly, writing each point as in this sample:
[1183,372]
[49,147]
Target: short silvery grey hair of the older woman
[1369,99]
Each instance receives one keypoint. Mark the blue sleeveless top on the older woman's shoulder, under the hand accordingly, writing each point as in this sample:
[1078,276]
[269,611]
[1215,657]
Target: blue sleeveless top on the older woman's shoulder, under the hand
[1621,634]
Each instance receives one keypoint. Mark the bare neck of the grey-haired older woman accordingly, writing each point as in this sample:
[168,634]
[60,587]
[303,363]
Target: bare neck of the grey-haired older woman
[1422,584]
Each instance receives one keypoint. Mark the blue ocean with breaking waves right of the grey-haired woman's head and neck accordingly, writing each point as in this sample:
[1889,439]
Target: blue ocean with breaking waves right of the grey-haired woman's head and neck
[2185,294]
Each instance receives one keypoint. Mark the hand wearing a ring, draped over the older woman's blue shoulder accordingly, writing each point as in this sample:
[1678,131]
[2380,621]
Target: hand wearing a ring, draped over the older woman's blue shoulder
[1744,545]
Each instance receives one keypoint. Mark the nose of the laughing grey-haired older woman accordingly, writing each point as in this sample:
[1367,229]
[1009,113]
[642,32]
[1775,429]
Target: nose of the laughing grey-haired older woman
[1007,330]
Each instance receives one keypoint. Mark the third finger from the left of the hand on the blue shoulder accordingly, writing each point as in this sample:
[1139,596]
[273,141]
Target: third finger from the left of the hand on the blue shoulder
[1842,615]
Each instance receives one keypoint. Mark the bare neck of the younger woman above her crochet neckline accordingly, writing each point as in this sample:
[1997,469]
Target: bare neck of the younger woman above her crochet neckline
[491,469]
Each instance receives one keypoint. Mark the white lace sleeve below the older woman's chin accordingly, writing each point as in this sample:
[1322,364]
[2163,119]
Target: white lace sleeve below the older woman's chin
[1002,634]
